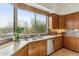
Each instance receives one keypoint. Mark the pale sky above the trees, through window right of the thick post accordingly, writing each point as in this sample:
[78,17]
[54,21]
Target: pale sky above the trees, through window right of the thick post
[26,16]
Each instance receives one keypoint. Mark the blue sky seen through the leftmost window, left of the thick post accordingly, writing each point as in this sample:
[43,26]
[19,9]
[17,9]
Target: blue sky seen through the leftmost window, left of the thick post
[6,14]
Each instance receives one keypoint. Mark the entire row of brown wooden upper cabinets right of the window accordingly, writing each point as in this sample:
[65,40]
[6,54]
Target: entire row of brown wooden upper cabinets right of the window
[69,21]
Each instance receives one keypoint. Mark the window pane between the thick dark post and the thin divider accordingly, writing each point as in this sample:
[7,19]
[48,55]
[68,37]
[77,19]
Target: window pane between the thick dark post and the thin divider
[25,19]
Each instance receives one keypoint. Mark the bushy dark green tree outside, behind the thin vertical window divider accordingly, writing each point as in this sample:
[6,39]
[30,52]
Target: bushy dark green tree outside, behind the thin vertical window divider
[38,26]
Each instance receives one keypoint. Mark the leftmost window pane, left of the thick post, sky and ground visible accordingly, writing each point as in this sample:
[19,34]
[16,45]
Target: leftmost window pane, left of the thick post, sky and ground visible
[6,19]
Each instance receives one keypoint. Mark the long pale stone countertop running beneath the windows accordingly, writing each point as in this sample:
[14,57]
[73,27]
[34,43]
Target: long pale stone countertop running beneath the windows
[11,47]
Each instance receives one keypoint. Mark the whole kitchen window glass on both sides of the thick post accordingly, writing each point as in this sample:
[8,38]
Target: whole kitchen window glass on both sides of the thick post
[33,23]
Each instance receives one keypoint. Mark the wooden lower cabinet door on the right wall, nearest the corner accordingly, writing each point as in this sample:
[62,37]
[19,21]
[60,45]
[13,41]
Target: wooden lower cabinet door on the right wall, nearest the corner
[70,42]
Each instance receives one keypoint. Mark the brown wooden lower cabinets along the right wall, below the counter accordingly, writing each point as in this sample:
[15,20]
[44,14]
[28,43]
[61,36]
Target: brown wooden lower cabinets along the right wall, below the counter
[71,43]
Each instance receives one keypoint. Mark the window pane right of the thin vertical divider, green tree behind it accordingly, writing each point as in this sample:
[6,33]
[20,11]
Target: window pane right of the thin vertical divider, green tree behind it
[41,23]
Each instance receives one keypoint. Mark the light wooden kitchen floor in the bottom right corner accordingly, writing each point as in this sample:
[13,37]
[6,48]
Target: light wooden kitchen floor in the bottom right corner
[65,52]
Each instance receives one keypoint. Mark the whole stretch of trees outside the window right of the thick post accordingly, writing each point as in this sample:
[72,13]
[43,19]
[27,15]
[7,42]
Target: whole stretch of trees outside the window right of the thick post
[37,27]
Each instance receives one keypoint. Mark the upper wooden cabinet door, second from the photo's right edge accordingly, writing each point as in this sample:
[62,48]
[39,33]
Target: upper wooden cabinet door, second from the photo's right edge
[69,21]
